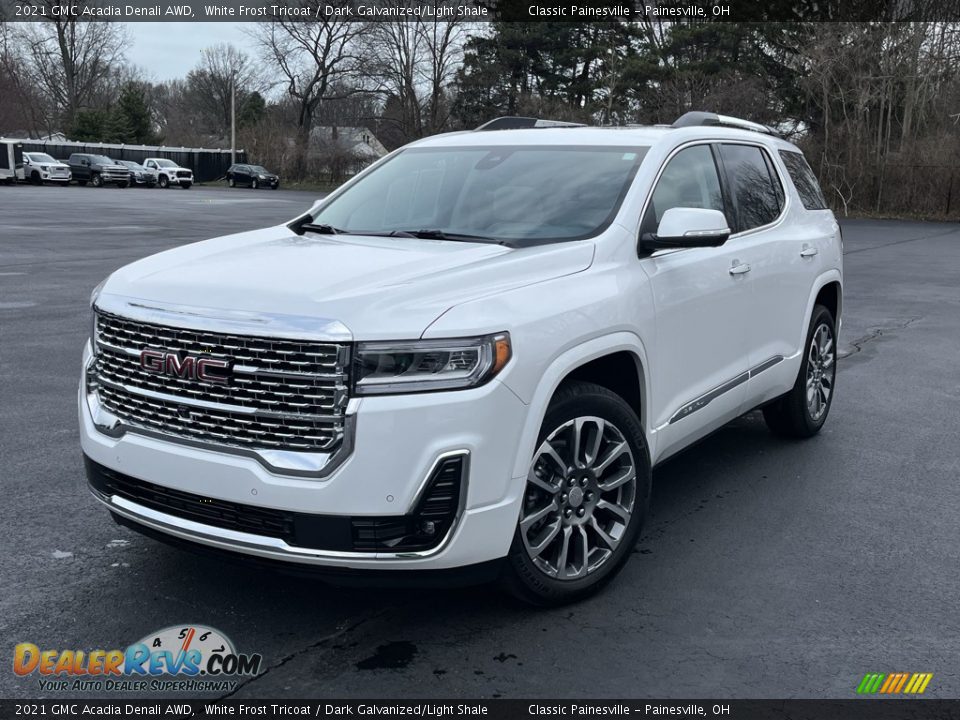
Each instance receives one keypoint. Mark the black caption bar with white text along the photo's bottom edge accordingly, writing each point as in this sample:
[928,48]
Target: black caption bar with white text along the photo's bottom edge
[858,709]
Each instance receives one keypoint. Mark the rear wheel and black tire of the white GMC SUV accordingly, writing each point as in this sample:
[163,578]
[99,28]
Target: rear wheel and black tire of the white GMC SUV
[801,412]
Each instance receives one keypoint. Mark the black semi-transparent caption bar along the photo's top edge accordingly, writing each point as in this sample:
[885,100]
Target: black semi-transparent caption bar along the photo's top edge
[481,10]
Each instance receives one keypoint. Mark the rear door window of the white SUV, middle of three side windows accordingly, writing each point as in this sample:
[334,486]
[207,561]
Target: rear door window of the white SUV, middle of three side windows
[756,189]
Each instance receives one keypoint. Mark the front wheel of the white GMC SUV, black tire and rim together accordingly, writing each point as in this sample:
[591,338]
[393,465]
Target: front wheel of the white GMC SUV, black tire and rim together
[587,493]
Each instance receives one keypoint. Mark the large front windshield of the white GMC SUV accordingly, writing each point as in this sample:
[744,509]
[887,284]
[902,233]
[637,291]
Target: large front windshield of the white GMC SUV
[521,195]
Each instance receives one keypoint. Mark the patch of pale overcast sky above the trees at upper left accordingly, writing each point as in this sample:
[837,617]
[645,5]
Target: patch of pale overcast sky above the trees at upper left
[170,50]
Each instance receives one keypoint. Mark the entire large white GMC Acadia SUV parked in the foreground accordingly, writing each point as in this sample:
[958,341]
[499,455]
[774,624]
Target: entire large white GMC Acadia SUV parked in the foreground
[470,355]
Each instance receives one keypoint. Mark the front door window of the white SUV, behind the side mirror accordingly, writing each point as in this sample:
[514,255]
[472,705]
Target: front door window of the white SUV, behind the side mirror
[689,180]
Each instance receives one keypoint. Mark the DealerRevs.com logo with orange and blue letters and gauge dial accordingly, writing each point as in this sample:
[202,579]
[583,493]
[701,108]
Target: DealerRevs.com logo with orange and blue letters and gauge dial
[190,658]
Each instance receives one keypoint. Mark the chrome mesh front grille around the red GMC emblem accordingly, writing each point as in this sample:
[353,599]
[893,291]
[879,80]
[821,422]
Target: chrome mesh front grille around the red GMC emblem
[278,394]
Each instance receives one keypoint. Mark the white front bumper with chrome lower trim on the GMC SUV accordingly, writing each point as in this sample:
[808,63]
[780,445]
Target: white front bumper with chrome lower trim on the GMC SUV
[397,443]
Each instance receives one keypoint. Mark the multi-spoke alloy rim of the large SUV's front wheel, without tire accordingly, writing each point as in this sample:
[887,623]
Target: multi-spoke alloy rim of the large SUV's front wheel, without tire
[580,496]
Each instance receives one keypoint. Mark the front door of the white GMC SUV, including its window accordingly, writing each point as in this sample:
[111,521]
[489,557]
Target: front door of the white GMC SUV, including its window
[699,356]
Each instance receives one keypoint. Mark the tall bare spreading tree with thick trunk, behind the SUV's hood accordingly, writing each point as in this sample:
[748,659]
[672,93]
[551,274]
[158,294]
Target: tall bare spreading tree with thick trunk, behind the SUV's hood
[320,60]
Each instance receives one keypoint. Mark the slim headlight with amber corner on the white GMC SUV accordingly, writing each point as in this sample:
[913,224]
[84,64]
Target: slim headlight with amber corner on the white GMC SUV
[385,368]
